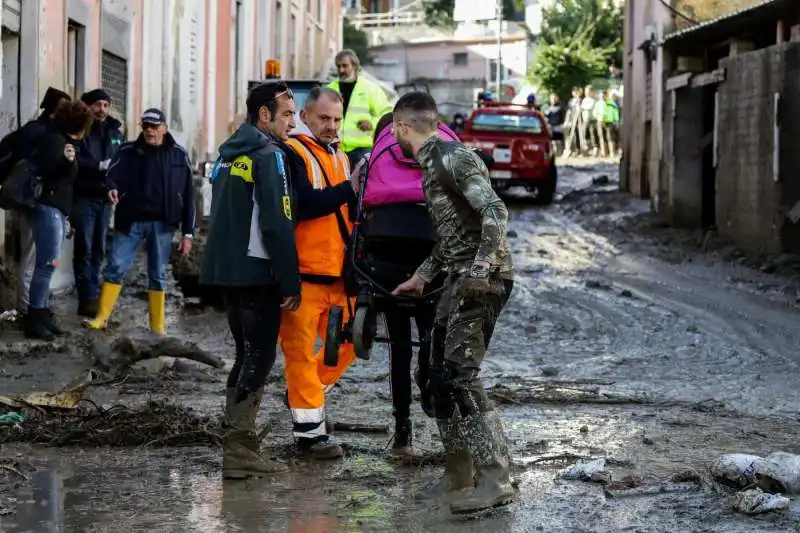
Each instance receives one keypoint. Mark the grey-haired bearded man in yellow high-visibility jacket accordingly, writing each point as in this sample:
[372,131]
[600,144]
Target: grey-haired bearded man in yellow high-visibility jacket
[364,103]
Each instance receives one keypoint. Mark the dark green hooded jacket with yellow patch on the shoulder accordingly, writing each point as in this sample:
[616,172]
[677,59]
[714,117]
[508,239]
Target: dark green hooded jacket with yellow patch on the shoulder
[250,171]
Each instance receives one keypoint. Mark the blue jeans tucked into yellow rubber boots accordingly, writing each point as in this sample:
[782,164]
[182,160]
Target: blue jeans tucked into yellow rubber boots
[158,246]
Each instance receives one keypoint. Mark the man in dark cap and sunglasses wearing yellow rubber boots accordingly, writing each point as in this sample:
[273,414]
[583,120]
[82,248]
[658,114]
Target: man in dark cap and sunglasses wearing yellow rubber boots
[150,181]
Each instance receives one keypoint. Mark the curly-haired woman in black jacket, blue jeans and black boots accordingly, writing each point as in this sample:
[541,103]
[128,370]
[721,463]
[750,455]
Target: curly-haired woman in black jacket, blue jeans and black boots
[54,162]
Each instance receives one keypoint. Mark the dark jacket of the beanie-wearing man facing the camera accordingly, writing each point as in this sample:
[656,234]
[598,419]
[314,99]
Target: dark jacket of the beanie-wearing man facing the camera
[101,144]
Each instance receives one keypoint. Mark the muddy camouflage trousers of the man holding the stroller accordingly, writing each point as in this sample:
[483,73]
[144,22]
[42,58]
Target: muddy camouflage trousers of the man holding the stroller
[465,320]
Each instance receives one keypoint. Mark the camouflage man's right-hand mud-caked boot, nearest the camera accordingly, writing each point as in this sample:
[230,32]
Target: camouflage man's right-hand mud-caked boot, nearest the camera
[487,442]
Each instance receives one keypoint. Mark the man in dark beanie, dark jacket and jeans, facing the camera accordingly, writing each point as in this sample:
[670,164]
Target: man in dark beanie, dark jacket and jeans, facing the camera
[91,212]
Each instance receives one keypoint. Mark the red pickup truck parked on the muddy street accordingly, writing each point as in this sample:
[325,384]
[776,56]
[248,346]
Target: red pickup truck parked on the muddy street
[518,138]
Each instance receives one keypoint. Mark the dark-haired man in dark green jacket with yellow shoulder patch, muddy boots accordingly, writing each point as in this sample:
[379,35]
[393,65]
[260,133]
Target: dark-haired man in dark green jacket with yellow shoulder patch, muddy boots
[251,255]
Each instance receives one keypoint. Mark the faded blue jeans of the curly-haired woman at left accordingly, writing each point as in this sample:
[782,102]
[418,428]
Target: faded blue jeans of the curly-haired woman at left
[49,229]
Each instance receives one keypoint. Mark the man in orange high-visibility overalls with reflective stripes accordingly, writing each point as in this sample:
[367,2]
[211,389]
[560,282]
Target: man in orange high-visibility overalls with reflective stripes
[321,180]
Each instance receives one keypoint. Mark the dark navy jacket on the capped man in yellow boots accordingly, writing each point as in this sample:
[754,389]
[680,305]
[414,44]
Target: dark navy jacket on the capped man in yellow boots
[130,173]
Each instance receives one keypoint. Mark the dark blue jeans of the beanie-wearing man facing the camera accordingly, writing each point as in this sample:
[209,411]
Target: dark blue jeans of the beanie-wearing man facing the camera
[90,219]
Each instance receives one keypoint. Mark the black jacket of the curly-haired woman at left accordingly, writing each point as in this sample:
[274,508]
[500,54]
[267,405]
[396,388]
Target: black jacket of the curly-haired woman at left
[55,170]
